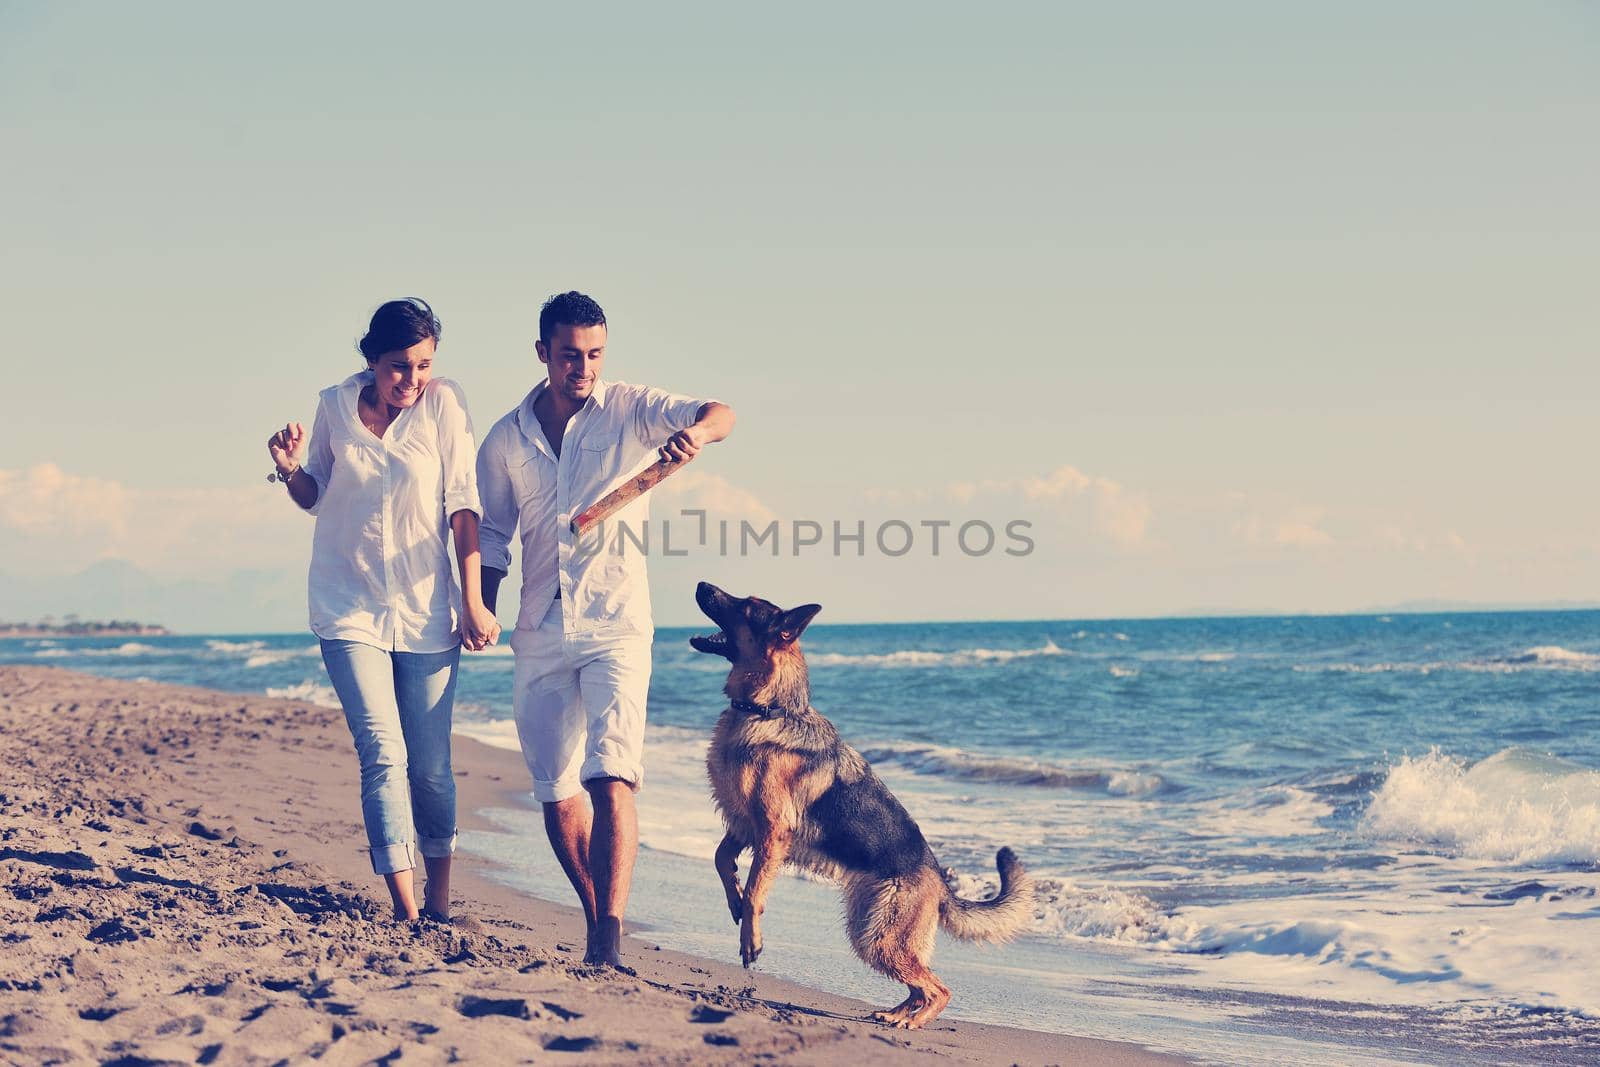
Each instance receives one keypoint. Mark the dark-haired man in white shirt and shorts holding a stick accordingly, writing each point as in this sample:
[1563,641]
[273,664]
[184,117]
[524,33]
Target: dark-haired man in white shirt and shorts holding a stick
[583,633]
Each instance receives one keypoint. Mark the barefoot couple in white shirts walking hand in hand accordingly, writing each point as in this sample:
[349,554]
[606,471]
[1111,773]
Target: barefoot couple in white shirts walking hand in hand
[394,479]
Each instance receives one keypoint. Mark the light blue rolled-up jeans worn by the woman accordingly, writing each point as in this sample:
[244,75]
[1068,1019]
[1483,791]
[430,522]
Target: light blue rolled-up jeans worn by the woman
[398,706]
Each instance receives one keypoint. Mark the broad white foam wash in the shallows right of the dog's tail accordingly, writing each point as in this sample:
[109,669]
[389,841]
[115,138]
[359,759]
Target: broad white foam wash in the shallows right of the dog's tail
[1396,941]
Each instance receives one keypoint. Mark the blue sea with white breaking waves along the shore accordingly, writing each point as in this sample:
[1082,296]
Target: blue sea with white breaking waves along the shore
[1324,839]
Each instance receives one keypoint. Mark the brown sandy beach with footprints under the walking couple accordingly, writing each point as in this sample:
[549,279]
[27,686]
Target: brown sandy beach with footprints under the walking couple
[182,882]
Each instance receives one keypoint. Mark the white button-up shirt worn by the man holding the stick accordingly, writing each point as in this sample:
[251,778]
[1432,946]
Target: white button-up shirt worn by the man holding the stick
[526,486]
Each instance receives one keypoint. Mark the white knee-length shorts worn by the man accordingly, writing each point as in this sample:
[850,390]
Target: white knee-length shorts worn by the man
[580,705]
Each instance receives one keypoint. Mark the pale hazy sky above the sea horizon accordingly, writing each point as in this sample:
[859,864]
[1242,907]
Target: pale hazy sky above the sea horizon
[1244,306]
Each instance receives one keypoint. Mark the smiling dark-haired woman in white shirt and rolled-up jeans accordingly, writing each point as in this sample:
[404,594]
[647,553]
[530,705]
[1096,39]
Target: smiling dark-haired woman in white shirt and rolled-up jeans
[391,470]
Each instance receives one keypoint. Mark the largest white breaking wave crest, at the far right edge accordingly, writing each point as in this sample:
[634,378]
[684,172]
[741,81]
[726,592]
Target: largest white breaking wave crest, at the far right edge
[1518,807]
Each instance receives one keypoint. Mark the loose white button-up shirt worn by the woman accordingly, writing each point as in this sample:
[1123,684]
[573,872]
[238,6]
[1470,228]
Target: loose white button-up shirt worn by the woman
[380,561]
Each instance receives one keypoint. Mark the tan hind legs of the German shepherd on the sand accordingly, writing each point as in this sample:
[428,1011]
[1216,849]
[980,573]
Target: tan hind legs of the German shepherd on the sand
[892,925]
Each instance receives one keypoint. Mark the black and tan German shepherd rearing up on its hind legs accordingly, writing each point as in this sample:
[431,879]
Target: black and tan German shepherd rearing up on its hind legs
[793,791]
